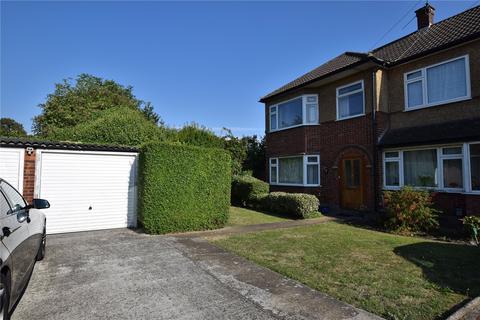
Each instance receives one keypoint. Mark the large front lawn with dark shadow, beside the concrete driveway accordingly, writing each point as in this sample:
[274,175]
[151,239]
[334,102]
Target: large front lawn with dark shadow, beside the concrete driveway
[392,276]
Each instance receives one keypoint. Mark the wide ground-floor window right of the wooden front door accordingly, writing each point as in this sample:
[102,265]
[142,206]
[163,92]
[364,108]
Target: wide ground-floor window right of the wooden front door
[454,167]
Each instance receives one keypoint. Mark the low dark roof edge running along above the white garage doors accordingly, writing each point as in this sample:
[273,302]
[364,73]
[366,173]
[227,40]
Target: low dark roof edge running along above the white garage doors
[8,142]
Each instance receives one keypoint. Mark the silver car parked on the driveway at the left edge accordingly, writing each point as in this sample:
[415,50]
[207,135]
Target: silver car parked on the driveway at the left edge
[22,243]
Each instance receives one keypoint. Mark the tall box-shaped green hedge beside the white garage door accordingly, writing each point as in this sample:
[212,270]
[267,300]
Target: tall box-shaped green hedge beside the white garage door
[183,188]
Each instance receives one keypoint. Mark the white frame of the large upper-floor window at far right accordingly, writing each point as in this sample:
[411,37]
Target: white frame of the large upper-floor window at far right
[424,79]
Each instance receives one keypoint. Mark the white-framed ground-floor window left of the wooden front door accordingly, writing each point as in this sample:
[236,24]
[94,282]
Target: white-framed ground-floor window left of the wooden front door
[295,170]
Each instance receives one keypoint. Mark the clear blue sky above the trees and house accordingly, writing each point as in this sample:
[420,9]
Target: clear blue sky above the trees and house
[207,62]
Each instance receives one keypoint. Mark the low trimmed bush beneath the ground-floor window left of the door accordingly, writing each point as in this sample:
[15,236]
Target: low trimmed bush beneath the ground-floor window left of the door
[298,205]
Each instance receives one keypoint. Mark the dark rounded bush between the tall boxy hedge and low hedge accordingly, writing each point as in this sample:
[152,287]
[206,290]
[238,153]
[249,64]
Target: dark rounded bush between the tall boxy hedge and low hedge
[246,189]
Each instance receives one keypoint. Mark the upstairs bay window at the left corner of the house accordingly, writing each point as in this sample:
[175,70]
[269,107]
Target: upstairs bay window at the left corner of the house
[299,111]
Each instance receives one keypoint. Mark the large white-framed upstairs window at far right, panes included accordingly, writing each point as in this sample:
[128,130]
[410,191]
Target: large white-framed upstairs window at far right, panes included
[441,83]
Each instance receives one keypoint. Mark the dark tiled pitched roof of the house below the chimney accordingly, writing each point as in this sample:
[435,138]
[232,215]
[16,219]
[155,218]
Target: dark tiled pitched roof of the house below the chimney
[460,28]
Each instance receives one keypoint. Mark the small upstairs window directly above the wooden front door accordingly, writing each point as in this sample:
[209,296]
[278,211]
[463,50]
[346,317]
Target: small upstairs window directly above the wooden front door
[350,101]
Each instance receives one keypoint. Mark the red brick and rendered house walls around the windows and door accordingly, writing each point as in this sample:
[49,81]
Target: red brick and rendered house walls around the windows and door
[333,139]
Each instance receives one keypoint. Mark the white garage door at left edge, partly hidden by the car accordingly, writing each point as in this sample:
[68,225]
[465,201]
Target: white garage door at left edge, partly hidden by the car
[11,166]
